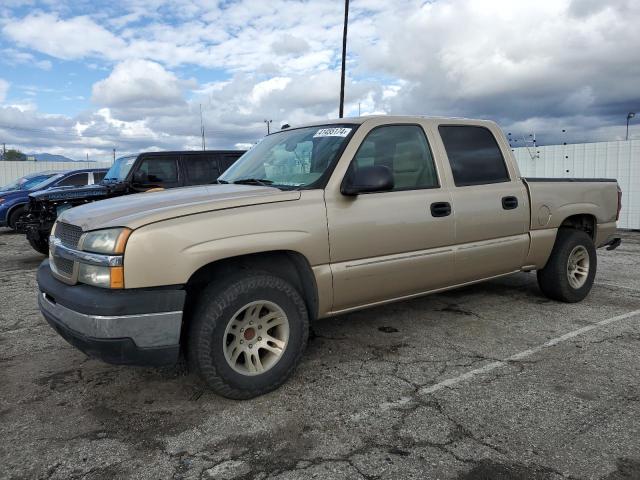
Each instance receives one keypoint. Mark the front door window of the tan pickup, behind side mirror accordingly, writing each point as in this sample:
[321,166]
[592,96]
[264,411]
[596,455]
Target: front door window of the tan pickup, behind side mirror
[404,150]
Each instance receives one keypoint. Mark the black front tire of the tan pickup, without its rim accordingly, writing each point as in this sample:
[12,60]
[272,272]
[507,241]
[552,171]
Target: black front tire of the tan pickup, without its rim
[216,307]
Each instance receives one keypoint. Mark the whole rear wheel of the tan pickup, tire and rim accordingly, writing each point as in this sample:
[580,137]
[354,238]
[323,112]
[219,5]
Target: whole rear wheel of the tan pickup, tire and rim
[571,269]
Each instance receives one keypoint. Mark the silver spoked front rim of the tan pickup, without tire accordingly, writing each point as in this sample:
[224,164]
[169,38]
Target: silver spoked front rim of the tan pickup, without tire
[256,337]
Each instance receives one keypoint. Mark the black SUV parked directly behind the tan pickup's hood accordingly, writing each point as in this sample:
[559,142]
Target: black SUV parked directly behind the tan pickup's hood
[127,175]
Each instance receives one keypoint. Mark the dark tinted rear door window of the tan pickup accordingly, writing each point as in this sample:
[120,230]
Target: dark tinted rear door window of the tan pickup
[474,155]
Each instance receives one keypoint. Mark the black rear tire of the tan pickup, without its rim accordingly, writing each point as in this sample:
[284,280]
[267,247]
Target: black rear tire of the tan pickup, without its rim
[553,279]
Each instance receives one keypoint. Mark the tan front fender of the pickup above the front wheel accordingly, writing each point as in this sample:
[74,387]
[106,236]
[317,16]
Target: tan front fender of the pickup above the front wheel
[171,251]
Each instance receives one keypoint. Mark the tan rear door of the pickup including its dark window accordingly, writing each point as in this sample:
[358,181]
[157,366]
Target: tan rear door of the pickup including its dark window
[490,204]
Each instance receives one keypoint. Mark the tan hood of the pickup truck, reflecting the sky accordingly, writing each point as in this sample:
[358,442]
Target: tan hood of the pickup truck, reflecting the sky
[134,211]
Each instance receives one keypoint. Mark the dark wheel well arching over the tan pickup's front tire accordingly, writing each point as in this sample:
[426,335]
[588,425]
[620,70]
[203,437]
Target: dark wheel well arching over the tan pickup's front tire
[288,265]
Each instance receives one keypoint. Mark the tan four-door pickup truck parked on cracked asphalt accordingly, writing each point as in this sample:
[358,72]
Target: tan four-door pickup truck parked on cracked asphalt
[312,222]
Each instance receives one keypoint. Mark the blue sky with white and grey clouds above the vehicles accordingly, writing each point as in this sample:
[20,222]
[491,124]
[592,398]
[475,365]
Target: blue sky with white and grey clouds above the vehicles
[83,76]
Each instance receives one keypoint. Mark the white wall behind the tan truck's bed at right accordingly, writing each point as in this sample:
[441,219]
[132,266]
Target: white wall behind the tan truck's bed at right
[619,160]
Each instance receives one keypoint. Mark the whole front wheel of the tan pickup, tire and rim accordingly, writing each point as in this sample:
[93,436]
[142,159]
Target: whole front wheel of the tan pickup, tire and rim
[247,336]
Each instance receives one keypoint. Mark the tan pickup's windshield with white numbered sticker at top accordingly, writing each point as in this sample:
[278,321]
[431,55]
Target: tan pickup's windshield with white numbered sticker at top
[296,158]
